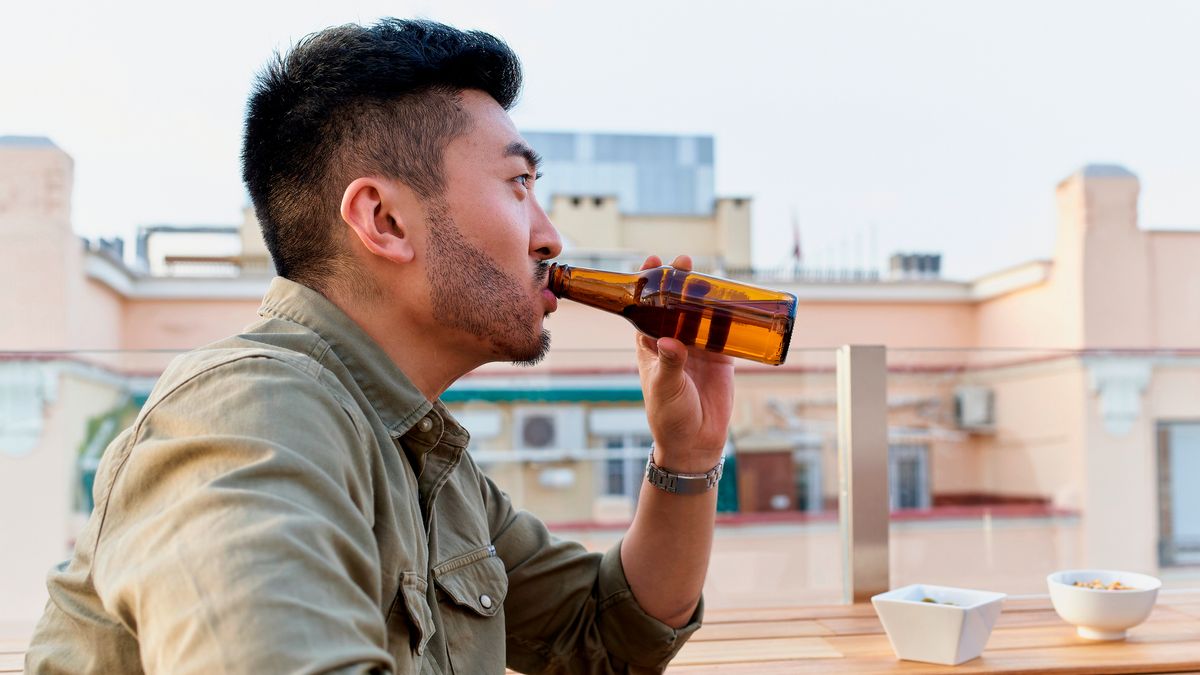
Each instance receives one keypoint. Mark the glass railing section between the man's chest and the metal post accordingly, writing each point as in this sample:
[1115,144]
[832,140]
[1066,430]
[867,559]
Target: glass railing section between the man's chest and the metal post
[568,440]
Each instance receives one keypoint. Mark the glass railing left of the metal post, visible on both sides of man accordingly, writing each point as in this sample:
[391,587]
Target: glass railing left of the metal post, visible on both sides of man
[567,439]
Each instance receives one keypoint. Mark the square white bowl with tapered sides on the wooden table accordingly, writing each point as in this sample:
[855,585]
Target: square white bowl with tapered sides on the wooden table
[935,632]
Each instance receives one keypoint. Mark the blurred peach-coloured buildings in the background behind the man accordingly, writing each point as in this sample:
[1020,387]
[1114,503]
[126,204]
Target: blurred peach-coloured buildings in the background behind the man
[1069,385]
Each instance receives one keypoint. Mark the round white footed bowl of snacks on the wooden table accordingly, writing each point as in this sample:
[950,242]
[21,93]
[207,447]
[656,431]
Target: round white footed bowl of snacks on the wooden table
[1102,616]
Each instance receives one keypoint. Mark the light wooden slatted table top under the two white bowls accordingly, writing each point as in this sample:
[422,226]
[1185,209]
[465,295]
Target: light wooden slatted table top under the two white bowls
[1029,638]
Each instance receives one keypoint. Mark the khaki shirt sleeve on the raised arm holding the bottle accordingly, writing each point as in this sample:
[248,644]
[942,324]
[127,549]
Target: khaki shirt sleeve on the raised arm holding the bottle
[569,611]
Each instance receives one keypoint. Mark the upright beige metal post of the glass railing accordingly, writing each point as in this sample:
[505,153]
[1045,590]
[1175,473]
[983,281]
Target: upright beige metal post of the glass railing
[863,470]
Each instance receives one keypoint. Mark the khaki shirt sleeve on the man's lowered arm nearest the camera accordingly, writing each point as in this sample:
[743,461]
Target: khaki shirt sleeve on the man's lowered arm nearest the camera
[233,537]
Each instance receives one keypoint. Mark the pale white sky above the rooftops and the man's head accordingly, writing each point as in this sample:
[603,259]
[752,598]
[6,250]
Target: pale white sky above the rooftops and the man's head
[937,126]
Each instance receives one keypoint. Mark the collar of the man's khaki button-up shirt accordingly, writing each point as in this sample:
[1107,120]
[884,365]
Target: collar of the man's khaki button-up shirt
[395,399]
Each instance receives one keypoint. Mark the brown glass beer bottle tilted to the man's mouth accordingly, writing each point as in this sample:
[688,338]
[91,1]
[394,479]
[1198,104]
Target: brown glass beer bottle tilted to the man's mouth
[699,310]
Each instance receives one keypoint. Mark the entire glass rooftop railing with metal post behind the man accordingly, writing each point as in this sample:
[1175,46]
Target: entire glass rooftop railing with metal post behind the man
[851,470]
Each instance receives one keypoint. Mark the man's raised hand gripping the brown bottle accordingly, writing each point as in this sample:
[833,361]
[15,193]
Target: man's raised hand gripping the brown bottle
[689,397]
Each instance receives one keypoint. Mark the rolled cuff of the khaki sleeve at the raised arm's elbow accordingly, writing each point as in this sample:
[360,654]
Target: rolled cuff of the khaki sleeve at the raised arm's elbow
[629,634]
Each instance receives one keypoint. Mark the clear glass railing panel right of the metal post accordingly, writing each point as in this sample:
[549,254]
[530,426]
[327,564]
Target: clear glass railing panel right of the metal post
[1009,465]
